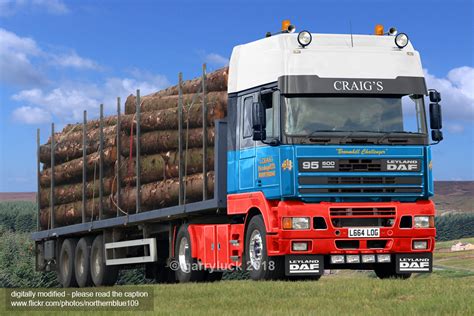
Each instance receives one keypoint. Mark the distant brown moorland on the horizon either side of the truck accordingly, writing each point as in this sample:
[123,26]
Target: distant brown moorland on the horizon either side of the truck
[450,196]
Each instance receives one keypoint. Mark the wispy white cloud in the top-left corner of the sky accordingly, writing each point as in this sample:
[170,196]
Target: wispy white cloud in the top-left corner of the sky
[12,7]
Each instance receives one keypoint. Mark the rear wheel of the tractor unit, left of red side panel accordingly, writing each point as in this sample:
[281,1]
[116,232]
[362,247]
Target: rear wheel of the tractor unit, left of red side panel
[187,269]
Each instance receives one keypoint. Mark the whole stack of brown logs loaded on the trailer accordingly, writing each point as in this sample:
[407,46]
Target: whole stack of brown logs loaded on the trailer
[159,158]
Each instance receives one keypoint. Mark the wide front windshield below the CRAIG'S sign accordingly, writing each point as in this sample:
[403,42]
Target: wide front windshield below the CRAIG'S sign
[308,115]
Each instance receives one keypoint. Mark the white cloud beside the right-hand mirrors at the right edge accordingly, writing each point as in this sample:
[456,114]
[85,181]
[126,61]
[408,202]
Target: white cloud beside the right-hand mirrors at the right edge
[457,94]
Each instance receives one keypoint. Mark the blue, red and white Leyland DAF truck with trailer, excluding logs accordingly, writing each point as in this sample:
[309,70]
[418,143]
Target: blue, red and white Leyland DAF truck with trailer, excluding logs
[322,162]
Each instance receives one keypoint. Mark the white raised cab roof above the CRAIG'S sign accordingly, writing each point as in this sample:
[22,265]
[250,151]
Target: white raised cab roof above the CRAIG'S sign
[328,56]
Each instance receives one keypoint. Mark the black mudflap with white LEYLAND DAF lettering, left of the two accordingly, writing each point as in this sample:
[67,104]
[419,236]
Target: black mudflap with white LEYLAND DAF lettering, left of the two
[304,265]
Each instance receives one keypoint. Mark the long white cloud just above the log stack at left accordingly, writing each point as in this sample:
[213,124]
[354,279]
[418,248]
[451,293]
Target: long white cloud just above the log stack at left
[67,102]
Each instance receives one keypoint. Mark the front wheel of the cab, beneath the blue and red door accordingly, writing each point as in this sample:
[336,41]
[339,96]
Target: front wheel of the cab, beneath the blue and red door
[256,261]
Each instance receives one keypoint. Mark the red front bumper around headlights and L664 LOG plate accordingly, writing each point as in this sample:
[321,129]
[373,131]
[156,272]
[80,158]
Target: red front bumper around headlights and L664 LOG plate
[328,241]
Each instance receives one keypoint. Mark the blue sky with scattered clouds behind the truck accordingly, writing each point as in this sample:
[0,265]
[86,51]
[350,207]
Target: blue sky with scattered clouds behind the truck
[59,57]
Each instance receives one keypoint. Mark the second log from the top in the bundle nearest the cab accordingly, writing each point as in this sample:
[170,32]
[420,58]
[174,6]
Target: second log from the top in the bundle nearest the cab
[154,103]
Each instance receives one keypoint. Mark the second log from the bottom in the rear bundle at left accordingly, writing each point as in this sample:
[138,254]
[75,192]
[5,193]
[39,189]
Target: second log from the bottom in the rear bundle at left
[69,193]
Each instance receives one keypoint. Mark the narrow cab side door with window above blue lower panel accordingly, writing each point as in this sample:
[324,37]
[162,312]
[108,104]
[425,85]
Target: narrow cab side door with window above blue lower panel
[246,169]
